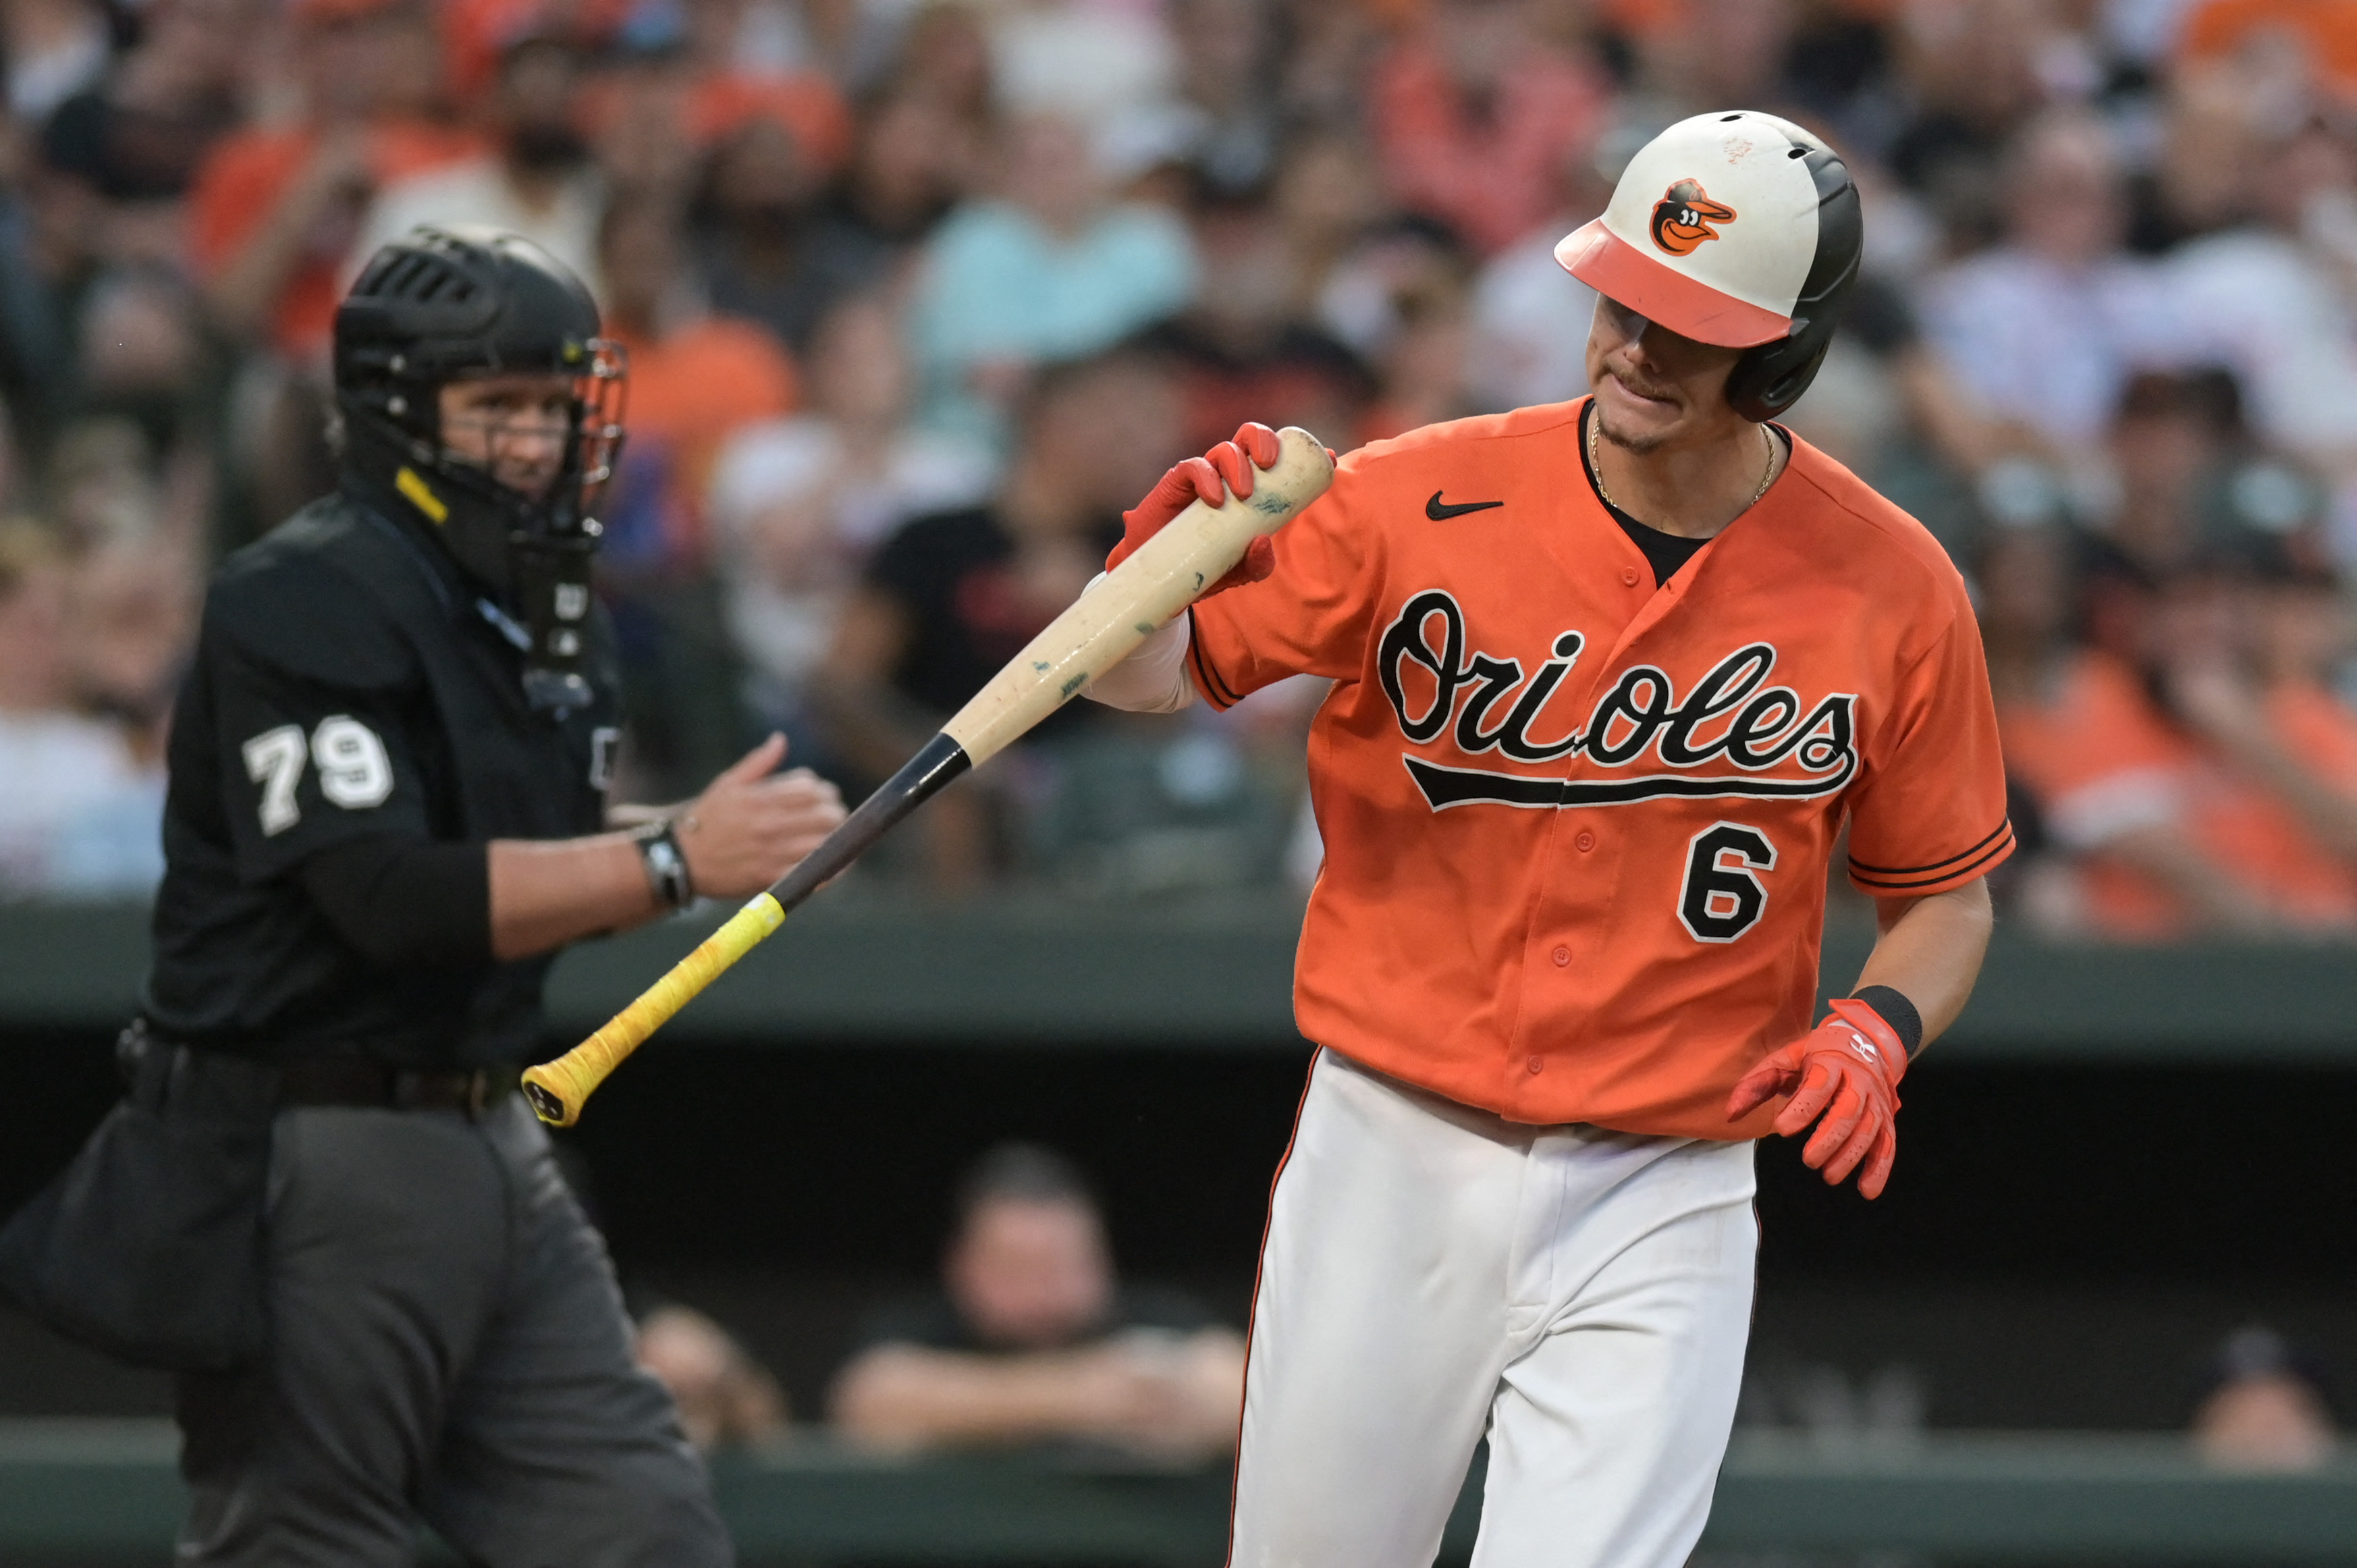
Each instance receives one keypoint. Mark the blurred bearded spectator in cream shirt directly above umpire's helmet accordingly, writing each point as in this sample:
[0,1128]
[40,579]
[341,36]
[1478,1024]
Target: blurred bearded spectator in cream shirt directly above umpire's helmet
[536,180]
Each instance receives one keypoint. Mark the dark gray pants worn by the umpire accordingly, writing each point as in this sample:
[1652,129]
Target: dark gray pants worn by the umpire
[447,1345]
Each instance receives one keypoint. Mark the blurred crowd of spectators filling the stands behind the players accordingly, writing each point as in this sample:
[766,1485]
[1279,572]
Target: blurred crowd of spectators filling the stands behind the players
[920,294]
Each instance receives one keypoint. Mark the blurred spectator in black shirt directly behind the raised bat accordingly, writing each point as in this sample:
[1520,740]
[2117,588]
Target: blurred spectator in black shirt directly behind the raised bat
[951,598]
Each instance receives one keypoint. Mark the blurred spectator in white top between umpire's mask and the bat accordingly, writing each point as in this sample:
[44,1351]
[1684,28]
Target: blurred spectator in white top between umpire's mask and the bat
[800,503]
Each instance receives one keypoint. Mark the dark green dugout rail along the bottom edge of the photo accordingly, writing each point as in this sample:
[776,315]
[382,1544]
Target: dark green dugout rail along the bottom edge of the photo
[105,1491]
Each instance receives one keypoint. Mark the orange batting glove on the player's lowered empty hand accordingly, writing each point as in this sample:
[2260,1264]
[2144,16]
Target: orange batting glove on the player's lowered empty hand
[1851,1062]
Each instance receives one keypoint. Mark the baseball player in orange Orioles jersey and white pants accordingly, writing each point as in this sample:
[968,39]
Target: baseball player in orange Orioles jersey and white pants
[1611,678]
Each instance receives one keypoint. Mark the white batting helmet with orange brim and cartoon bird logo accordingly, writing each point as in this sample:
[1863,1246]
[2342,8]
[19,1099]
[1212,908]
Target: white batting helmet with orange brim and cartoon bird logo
[1736,230]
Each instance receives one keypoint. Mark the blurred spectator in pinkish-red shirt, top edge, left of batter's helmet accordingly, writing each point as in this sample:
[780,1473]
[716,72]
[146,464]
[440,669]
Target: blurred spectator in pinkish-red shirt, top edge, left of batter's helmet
[1474,117]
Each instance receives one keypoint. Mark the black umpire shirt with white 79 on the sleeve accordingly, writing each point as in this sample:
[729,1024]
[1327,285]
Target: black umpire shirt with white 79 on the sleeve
[352,687]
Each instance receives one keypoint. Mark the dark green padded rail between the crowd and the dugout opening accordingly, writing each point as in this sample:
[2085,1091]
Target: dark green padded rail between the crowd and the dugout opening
[1217,975]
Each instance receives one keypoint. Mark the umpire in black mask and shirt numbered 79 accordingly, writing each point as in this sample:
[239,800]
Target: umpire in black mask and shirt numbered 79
[385,819]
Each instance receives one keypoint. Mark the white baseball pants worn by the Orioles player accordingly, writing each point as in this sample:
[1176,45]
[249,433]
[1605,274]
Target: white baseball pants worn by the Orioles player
[1434,1272]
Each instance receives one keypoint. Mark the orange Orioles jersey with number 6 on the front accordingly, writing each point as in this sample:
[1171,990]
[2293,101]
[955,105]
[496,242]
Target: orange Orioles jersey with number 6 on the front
[1576,824]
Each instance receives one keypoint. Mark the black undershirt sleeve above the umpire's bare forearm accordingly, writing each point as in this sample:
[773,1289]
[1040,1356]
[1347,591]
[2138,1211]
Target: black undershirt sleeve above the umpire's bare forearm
[407,904]
